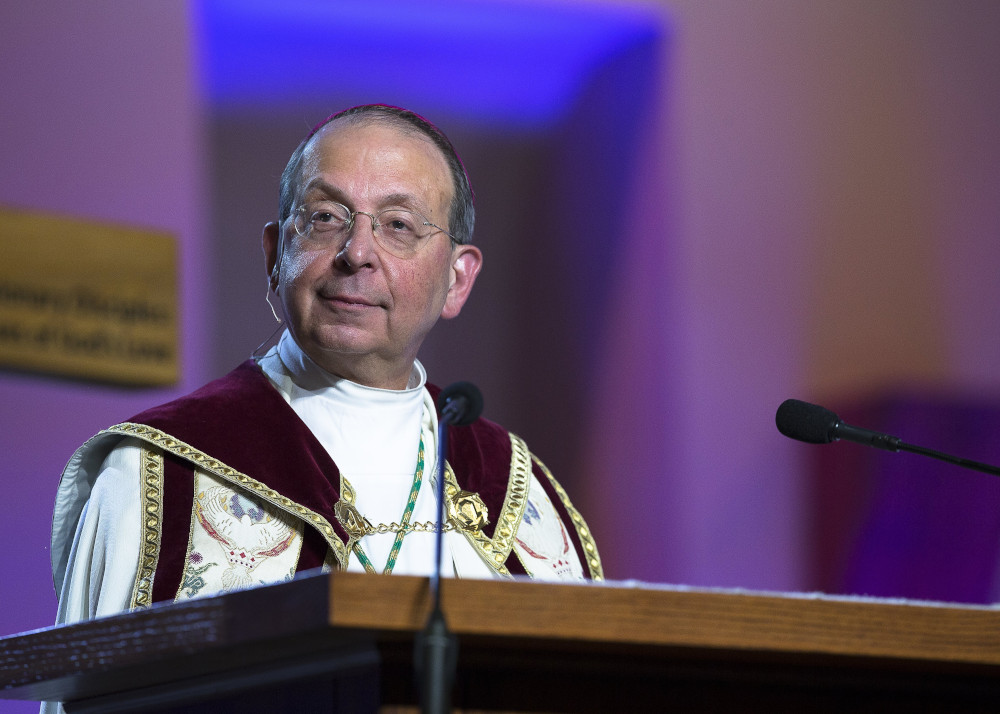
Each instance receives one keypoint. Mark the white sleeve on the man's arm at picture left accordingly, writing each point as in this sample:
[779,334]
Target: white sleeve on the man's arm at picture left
[104,558]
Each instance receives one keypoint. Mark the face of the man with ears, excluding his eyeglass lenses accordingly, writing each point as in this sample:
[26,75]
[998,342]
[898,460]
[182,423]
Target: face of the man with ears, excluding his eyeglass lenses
[356,310]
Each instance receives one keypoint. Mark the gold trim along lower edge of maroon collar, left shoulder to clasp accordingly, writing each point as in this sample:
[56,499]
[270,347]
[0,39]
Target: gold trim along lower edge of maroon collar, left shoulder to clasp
[214,466]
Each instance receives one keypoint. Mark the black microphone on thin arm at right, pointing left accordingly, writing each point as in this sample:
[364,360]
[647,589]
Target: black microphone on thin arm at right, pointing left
[814,424]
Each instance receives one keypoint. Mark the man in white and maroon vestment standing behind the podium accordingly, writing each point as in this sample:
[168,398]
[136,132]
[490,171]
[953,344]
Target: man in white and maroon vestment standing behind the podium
[321,453]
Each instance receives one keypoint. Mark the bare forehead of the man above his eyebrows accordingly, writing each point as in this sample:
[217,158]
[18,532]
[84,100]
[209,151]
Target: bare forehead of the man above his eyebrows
[367,158]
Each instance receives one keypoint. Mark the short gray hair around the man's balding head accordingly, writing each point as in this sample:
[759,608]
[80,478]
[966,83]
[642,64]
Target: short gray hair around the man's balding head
[462,214]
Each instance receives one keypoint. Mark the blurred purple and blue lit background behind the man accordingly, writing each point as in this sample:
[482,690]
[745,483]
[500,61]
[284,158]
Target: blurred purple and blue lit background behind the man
[690,211]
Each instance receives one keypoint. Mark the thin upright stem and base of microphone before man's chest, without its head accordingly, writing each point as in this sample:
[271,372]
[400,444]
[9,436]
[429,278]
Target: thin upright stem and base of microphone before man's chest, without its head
[436,647]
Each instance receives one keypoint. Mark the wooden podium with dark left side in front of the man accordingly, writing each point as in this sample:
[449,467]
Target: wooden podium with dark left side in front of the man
[344,642]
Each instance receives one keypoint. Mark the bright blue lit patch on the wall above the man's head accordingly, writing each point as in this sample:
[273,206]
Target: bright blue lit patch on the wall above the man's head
[519,64]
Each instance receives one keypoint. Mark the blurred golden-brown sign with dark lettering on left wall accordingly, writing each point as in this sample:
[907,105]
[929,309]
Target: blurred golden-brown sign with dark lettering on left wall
[87,300]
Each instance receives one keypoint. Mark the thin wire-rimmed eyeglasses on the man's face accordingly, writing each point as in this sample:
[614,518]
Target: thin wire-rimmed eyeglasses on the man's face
[398,231]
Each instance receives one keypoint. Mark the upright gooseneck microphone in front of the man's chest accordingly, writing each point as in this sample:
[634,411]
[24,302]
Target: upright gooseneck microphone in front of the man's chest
[436,649]
